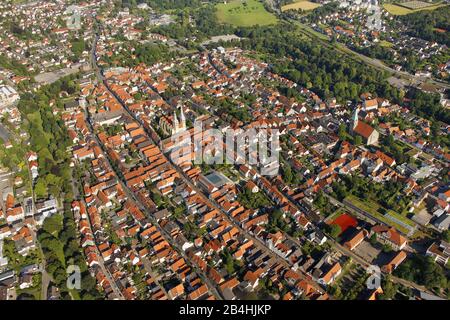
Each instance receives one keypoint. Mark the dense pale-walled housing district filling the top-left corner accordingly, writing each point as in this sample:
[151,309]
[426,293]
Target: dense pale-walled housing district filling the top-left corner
[37,39]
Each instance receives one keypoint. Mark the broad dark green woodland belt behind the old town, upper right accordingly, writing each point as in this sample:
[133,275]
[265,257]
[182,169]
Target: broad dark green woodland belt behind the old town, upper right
[323,70]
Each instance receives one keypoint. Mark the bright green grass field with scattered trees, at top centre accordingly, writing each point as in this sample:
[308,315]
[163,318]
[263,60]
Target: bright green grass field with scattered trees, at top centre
[244,13]
